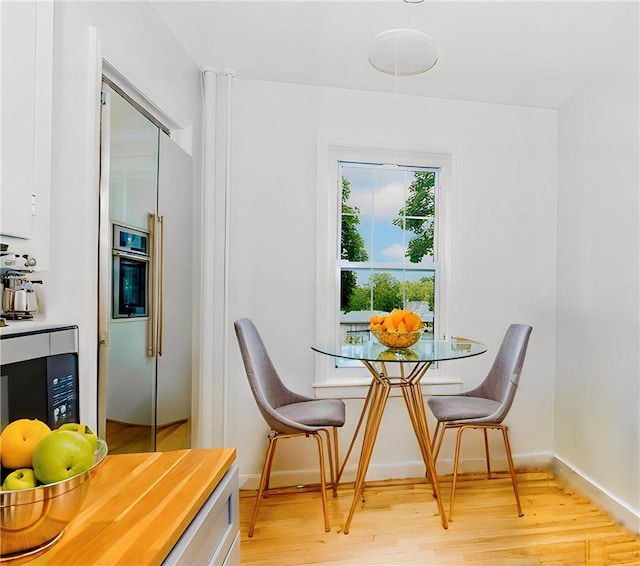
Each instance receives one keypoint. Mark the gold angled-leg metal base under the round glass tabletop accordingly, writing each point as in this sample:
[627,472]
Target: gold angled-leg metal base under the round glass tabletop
[372,411]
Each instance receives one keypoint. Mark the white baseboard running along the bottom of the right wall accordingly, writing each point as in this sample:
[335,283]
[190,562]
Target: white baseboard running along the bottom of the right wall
[619,511]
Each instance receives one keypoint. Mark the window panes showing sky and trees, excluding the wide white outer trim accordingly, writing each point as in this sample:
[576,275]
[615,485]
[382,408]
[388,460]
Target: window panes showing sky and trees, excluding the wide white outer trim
[387,234]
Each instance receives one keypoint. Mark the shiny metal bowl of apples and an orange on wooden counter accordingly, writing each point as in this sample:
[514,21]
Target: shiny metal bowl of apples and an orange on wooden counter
[45,480]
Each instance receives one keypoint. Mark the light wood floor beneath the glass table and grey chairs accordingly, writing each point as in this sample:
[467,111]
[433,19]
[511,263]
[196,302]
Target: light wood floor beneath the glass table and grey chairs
[399,525]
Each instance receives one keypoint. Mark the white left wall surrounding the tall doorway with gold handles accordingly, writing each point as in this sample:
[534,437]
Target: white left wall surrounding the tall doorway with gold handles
[136,41]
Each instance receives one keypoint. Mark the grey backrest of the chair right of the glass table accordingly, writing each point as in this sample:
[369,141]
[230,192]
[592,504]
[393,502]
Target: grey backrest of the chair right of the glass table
[501,382]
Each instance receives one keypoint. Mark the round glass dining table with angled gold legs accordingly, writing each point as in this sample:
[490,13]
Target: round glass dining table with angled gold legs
[404,369]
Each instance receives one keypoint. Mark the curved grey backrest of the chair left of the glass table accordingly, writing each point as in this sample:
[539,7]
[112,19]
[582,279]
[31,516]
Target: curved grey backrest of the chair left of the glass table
[268,389]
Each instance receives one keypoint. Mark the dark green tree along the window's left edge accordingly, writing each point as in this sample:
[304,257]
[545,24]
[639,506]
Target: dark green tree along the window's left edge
[351,247]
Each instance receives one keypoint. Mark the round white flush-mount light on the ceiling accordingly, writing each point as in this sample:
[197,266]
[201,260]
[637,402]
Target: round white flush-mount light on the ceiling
[402,52]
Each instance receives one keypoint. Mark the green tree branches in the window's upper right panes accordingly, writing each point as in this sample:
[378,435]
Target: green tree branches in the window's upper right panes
[417,215]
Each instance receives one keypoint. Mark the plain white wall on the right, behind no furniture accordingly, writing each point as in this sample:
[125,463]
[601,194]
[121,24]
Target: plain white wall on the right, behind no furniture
[597,416]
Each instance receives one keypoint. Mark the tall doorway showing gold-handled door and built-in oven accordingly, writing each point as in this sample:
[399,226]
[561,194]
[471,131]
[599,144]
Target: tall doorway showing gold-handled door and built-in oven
[145,264]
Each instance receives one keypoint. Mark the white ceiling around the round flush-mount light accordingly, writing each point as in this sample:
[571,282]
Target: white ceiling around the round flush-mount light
[509,52]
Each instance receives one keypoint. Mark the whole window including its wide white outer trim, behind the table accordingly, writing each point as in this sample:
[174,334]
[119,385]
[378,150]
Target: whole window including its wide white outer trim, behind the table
[383,241]
